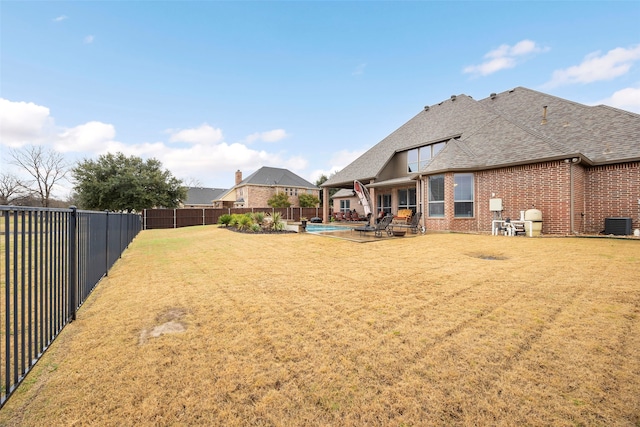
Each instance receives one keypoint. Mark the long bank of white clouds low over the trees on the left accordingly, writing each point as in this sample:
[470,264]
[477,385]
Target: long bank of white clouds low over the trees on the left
[205,156]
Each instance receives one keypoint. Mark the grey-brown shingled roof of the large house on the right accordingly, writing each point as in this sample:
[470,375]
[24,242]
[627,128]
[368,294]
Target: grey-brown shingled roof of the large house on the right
[519,126]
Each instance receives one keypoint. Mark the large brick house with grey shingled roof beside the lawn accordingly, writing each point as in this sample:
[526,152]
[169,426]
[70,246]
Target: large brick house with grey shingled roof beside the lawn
[577,164]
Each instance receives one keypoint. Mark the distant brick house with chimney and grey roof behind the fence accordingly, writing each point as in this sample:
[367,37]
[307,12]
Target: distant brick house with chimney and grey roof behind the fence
[255,190]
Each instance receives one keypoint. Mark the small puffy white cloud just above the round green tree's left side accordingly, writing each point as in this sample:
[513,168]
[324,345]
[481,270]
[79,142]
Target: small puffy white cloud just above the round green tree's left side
[89,137]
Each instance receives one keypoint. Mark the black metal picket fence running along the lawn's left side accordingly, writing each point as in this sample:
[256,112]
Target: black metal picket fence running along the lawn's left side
[51,260]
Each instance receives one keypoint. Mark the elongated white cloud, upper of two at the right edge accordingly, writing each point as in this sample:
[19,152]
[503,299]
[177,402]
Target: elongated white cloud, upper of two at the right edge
[597,67]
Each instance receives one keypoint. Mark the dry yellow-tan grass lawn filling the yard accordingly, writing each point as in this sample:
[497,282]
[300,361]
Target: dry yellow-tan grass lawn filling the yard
[203,326]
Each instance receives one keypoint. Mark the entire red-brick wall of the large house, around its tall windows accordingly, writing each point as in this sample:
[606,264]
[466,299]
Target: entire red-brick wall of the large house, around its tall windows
[598,192]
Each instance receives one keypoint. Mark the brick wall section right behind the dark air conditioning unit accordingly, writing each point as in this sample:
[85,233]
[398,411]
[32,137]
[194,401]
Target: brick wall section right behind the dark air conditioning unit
[612,191]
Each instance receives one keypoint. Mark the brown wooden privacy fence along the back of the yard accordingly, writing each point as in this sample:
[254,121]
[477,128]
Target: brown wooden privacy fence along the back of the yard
[187,217]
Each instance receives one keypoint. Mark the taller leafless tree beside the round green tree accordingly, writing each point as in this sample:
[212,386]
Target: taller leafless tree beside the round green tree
[46,167]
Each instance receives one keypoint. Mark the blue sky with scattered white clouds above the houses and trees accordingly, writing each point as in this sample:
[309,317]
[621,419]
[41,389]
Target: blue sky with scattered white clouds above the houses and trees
[211,87]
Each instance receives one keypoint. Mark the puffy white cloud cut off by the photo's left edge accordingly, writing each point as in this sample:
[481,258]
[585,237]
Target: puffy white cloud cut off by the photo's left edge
[23,123]
